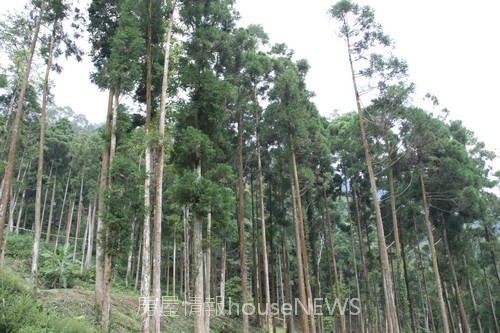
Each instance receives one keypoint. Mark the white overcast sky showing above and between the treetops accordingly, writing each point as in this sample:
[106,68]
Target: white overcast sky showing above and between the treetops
[450,47]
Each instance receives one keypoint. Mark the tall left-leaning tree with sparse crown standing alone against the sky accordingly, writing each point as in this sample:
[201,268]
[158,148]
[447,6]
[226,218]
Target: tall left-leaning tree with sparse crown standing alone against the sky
[362,35]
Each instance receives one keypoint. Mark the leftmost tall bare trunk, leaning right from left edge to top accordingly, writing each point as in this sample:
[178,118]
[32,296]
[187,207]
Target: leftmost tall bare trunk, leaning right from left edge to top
[9,168]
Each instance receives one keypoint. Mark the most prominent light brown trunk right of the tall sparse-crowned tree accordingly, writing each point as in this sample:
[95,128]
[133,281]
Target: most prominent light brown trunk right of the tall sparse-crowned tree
[442,306]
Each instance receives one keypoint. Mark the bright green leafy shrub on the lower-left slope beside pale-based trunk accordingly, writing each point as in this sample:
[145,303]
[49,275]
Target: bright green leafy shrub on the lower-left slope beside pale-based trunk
[58,270]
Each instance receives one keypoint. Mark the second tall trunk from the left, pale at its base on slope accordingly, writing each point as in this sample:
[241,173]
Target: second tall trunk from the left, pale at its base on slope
[39,174]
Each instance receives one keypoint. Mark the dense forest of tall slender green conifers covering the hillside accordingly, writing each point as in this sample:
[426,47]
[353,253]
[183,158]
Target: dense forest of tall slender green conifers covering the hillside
[216,188]
